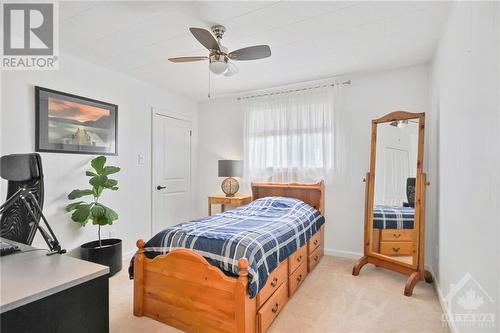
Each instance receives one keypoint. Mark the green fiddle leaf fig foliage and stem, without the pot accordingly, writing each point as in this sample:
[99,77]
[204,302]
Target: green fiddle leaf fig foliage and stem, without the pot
[93,210]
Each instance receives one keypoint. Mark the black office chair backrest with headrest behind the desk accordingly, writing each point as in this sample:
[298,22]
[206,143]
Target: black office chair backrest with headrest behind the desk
[21,170]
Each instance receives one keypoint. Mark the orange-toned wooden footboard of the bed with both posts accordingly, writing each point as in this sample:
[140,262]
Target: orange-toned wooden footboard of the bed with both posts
[183,290]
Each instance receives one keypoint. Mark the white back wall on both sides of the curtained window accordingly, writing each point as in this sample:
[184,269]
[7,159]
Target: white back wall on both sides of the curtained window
[370,96]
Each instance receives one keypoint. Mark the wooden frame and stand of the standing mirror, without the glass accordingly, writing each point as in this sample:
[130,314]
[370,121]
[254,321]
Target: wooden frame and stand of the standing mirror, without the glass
[416,270]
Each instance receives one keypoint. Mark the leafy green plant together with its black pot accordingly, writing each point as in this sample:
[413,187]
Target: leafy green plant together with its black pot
[102,251]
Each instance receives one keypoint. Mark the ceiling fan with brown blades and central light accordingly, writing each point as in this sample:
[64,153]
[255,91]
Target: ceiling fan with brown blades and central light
[219,60]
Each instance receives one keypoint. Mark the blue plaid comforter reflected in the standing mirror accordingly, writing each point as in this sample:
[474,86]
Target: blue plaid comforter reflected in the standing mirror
[393,217]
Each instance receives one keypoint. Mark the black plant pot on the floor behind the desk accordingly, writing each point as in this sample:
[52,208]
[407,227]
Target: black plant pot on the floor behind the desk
[110,254]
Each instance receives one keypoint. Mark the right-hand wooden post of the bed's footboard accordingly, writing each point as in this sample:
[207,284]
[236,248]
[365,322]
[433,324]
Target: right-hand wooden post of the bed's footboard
[241,304]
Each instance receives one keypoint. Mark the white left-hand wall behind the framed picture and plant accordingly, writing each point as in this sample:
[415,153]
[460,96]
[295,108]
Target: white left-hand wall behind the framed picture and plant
[64,172]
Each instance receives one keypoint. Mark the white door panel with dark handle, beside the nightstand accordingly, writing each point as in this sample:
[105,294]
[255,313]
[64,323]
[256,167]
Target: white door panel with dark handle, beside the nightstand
[171,171]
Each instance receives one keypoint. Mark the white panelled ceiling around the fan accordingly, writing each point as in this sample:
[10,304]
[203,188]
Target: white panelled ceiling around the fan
[309,40]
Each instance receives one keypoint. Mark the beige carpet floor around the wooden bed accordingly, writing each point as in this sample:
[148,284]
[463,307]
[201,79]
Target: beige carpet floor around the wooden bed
[330,300]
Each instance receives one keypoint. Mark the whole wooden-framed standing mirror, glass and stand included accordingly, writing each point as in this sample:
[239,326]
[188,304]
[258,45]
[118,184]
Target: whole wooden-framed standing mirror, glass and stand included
[395,198]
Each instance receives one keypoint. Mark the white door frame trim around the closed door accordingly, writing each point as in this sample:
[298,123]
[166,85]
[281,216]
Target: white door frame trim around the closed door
[178,116]
